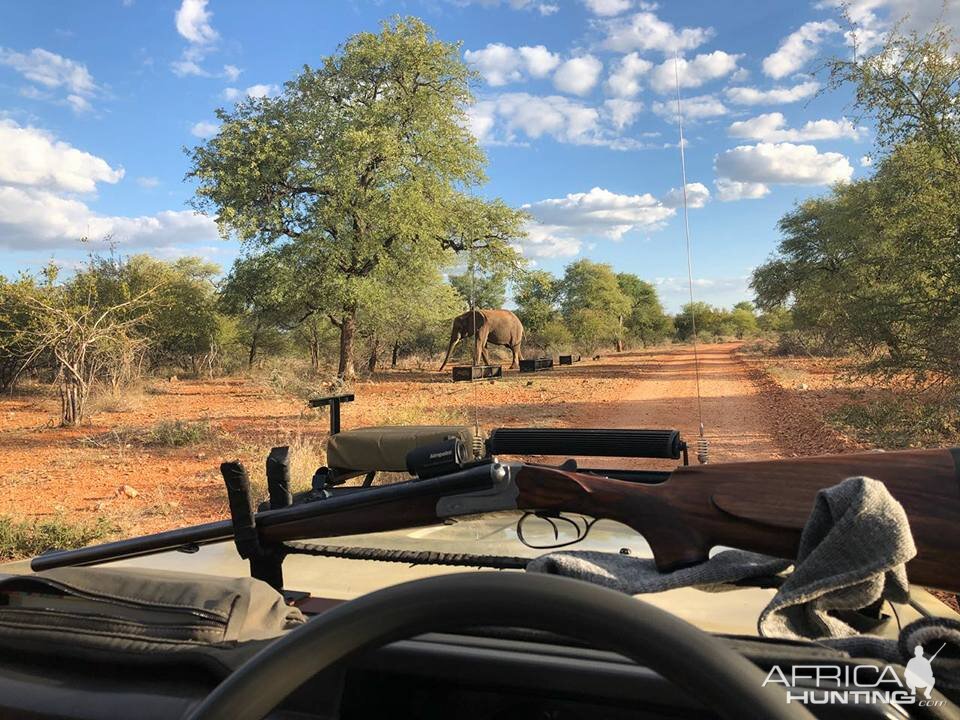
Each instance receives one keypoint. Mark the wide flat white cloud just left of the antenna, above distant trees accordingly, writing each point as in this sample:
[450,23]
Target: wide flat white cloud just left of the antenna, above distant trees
[601,212]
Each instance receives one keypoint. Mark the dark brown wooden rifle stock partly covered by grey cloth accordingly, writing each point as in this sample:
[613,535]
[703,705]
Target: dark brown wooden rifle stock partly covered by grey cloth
[763,506]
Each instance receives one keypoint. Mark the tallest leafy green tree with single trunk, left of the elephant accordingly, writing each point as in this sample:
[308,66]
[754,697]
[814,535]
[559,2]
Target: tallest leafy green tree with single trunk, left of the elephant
[364,160]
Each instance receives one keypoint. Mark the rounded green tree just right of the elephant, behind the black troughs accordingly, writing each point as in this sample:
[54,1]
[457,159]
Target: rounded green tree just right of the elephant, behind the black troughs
[593,305]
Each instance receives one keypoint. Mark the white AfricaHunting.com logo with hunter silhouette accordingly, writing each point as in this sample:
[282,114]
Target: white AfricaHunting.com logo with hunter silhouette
[855,684]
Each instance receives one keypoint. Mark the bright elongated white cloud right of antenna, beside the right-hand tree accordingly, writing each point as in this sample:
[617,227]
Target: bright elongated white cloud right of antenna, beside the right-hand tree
[787,163]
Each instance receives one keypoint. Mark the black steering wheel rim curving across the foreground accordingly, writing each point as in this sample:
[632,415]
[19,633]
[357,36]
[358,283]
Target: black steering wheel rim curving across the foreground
[695,661]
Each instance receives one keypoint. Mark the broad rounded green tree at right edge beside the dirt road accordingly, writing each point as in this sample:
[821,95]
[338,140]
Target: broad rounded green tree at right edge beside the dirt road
[874,266]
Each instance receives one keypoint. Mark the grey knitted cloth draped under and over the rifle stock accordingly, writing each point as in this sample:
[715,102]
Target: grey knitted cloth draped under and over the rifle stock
[852,553]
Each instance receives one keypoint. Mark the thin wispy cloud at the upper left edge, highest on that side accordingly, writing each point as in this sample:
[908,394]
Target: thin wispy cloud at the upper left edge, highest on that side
[53,72]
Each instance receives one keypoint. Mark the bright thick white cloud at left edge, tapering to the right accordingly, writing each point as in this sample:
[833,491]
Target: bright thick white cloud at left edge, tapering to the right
[33,157]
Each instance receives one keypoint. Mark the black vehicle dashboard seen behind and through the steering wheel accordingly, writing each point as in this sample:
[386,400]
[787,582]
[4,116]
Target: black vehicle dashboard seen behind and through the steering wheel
[493,674]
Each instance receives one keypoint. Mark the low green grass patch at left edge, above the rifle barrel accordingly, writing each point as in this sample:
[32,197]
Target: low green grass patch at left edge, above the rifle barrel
[27,538]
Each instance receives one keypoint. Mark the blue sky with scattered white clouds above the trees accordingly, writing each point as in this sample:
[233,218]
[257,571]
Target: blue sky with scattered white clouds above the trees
[575,107]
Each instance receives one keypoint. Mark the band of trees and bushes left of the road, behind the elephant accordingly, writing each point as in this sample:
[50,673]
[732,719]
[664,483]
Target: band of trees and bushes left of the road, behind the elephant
[353,195]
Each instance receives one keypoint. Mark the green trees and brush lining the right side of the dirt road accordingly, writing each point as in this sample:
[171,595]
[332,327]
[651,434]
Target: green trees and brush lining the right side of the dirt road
[871,271]
